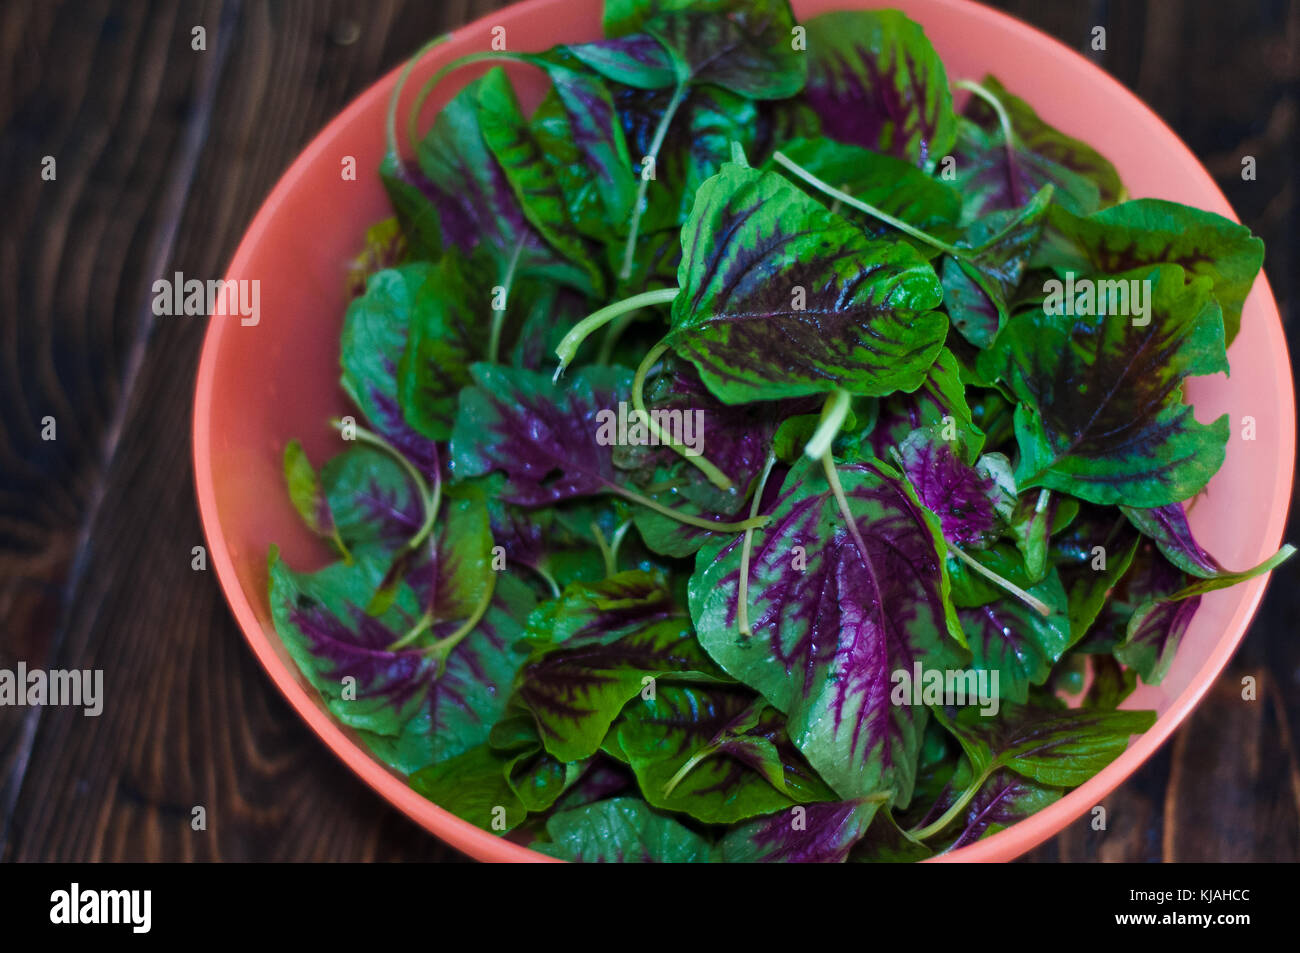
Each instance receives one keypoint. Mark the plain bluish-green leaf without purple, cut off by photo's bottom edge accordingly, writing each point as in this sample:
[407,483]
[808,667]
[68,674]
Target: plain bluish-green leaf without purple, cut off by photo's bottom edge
[622,830]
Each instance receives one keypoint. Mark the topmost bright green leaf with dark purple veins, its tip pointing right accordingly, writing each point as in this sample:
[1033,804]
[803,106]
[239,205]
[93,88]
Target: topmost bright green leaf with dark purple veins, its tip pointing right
[782,298]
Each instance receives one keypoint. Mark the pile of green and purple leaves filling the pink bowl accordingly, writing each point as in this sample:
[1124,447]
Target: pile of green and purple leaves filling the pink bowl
[610,643]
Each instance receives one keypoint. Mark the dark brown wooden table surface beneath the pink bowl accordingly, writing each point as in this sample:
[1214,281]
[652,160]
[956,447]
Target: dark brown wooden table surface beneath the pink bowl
[163,157]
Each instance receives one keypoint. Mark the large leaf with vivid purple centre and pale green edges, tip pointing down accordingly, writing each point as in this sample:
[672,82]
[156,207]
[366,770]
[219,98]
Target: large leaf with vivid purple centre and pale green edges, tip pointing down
[833,621]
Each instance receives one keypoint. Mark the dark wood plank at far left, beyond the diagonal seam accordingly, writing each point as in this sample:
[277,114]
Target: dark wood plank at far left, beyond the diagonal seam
[76,254]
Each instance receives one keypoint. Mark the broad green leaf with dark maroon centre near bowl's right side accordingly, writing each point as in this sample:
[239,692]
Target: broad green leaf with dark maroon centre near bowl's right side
[1103,417]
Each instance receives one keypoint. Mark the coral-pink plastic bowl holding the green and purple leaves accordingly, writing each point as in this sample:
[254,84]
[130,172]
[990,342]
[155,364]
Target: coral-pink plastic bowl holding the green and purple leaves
[262,385]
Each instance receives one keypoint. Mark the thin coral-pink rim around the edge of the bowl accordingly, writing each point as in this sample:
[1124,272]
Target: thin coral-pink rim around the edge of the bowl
[482,844]
